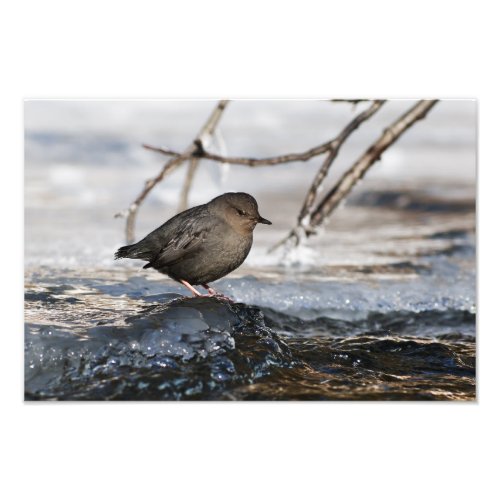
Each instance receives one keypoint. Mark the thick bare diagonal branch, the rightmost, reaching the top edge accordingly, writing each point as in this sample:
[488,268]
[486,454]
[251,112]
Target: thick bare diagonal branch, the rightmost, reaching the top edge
[390,135]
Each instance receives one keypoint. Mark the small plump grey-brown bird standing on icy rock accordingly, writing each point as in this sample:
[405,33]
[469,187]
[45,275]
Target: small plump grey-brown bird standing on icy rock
[201,244]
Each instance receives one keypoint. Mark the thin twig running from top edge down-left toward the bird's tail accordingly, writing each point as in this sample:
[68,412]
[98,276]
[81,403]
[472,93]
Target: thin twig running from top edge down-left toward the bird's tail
[170,166]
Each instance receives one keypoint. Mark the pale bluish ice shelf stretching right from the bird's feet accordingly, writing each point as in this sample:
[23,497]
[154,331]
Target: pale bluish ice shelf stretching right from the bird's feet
[445,287]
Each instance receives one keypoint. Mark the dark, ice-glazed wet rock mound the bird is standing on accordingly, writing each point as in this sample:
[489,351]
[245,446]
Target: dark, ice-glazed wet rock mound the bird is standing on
[192,348]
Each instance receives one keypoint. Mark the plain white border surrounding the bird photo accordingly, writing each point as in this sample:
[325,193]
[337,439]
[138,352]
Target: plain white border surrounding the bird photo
[154,49]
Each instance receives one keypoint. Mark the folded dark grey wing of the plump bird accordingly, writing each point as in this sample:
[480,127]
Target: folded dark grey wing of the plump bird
[188,236]
